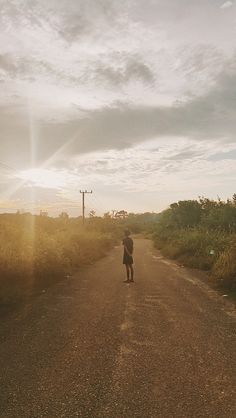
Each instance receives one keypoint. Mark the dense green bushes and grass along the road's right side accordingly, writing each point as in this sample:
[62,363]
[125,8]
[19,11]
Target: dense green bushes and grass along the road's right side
[202,234]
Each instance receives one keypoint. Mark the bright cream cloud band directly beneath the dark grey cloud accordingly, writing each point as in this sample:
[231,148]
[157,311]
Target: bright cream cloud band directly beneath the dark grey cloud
[136,169]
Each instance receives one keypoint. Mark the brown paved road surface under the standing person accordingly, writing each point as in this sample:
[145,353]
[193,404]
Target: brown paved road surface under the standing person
[93,346]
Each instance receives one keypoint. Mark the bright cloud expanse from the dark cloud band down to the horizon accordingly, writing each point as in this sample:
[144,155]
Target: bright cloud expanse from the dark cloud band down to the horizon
[118,176]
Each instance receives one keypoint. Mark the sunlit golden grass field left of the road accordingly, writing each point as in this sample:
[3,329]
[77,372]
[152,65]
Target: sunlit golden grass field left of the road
[35,252]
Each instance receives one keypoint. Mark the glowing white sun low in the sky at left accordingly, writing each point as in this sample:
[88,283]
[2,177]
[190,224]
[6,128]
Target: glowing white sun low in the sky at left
[42,177]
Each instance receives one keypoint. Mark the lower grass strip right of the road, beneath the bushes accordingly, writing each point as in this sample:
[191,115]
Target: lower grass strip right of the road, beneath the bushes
[214,252]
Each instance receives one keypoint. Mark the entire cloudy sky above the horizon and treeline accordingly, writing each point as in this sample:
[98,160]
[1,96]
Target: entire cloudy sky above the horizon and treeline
[132,99]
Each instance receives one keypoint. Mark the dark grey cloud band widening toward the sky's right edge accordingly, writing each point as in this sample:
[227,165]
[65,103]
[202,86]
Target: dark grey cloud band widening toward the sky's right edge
[212,116]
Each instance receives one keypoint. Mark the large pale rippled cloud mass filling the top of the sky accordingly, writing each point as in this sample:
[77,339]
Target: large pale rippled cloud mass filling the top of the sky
[95,53]
